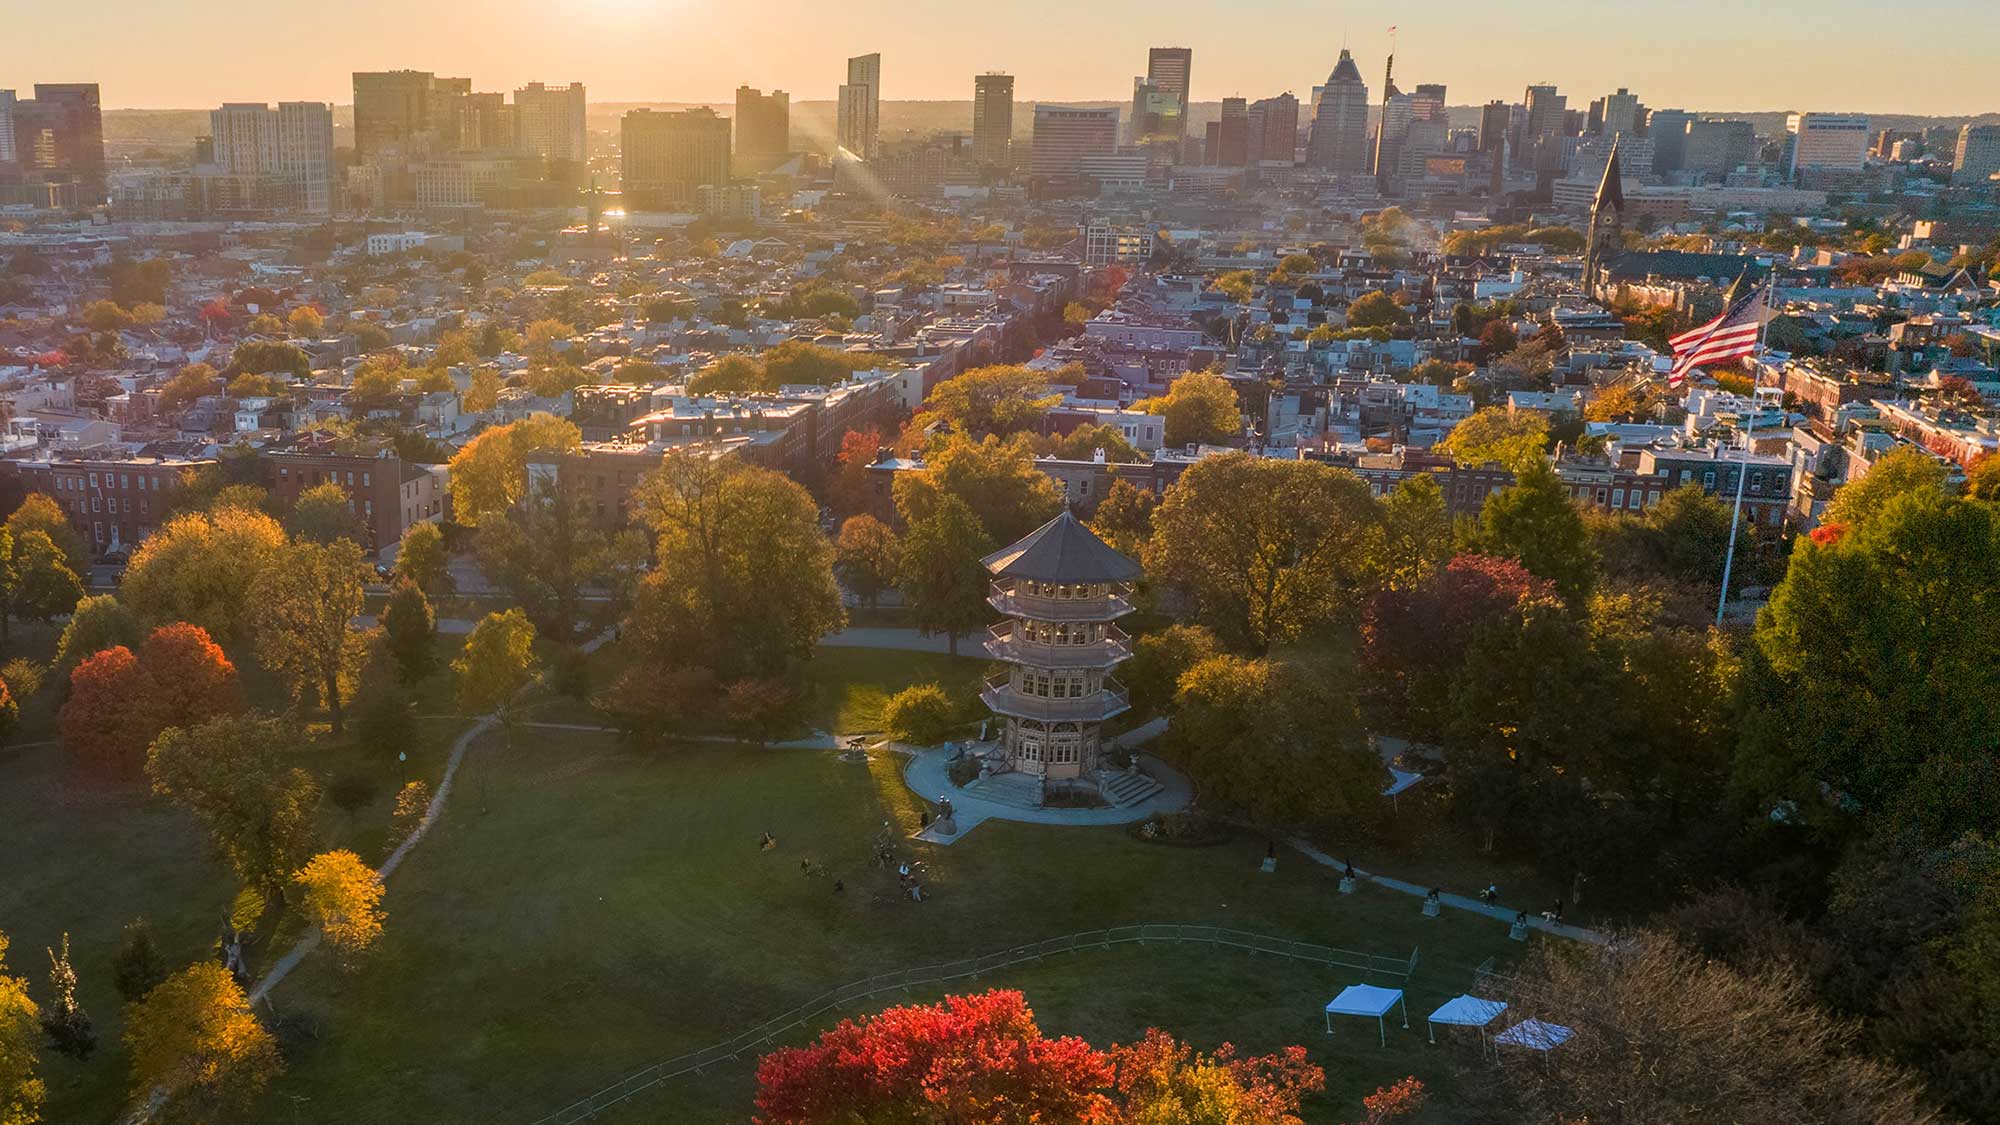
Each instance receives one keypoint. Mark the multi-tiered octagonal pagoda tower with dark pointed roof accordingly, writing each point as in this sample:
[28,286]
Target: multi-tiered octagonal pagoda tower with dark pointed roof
[1063,592]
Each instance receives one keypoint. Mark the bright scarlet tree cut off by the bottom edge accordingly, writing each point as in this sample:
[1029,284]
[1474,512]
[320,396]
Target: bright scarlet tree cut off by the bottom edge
[965,1062]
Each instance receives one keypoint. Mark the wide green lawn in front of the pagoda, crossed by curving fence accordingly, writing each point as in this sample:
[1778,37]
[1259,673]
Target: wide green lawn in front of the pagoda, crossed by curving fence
[587,908]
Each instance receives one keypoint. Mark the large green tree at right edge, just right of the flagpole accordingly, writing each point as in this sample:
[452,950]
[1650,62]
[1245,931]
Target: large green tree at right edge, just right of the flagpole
[1879,680]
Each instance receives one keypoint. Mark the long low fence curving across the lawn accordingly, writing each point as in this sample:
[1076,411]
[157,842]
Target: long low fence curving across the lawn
[1153,934]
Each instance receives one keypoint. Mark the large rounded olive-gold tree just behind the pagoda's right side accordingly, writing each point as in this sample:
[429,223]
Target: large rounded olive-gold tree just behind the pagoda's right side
[1265,549]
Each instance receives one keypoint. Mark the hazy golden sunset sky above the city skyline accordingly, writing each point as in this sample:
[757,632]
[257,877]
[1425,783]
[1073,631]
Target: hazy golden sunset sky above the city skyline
[1743,55]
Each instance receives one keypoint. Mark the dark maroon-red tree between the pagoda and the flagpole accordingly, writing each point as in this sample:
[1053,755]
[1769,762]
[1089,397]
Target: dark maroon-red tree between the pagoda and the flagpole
[1417,640]
